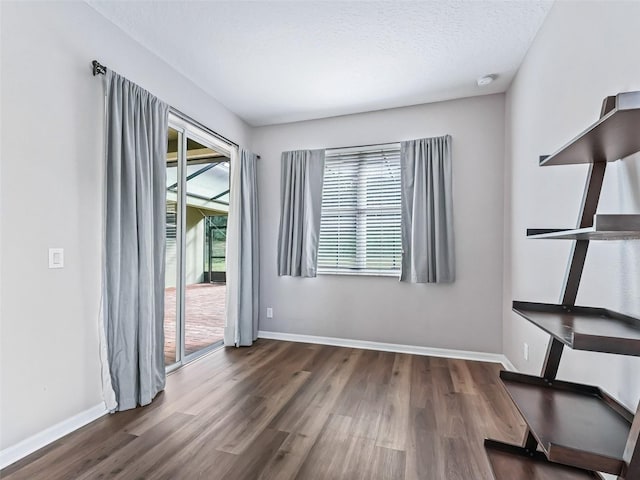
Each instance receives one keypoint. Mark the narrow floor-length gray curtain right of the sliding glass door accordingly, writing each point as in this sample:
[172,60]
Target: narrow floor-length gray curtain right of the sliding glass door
[249,251]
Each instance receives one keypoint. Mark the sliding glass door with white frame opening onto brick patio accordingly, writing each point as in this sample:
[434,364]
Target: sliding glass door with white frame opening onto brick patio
[198,168]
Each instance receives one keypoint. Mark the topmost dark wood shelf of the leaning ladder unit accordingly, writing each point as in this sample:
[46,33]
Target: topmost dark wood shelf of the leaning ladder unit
[612,137]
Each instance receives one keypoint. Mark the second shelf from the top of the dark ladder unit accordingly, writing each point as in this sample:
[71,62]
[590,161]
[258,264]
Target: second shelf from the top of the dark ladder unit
[605,227]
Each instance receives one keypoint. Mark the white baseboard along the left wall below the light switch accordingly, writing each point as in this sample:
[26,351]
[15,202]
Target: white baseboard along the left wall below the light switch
[29,445]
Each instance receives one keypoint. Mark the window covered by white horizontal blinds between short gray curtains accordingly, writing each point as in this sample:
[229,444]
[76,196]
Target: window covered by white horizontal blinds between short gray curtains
[360,223]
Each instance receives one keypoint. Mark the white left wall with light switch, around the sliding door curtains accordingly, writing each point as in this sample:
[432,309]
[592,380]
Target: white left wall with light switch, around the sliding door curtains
[52,120]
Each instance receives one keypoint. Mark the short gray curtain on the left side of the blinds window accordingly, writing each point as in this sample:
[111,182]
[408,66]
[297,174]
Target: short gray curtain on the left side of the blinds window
[301,178]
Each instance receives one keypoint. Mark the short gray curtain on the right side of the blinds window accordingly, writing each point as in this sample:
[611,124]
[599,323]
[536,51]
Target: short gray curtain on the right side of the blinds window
[427,211]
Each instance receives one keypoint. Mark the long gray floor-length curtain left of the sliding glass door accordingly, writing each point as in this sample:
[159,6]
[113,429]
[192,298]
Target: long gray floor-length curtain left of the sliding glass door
[136,146]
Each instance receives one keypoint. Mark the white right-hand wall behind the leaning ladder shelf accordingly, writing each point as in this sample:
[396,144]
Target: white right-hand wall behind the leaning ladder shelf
[583,52]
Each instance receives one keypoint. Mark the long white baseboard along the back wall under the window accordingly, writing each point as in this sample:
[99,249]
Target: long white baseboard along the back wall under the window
[391,347]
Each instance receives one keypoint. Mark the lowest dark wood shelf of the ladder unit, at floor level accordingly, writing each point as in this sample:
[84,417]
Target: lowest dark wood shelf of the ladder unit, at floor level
[513,463]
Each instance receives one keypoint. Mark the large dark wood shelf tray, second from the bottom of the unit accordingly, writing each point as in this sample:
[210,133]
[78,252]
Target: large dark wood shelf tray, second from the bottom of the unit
[574,424]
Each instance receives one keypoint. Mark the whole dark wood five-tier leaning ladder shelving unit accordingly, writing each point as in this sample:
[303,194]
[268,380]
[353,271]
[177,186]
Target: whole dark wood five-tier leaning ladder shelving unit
[575,430]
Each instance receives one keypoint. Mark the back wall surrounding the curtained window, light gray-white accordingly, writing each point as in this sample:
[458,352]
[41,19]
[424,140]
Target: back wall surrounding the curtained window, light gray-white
[465,315]
